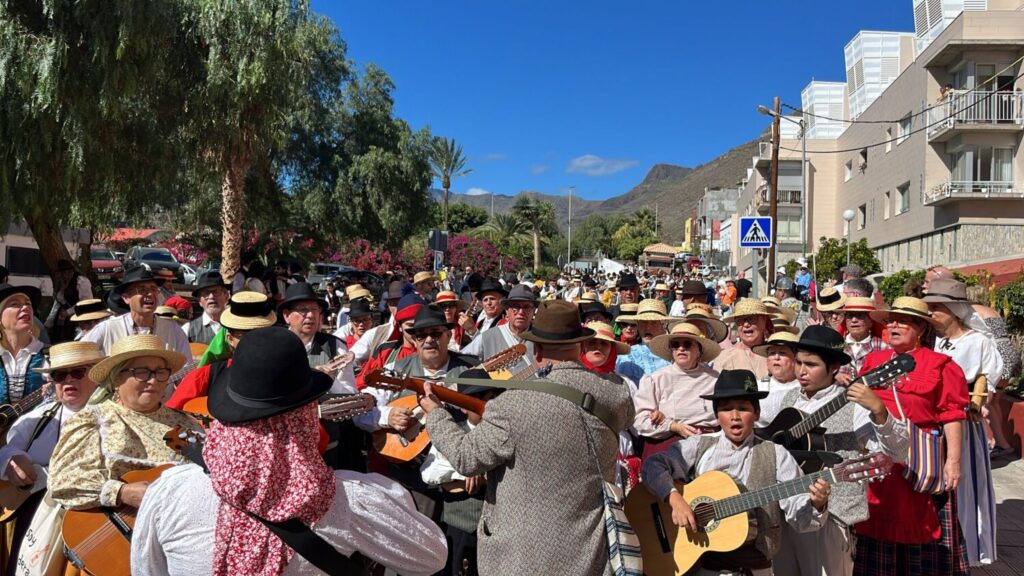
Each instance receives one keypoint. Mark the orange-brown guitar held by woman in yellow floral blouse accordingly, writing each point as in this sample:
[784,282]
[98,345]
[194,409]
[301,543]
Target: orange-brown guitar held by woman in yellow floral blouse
[99,541]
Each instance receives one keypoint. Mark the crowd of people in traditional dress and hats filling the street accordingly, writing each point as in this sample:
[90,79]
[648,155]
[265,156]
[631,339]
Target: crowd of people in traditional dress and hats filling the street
[625,382]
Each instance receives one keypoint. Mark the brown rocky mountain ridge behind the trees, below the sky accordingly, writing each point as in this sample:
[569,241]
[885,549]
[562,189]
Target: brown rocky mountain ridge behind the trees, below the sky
[674,190]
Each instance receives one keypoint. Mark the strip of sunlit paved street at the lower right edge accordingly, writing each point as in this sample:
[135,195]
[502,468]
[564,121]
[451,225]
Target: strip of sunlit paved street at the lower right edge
[1009,478]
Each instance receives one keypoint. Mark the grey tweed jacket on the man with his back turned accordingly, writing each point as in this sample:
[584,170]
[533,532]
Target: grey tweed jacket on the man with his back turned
[543,513]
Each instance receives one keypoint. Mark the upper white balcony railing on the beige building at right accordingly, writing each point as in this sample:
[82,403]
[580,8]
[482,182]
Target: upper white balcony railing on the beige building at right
[962,109]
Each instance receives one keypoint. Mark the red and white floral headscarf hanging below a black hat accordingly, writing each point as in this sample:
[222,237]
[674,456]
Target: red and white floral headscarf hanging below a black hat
[270,468]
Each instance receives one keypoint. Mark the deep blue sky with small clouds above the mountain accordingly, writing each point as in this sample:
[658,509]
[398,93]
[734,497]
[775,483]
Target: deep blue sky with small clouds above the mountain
[544,96]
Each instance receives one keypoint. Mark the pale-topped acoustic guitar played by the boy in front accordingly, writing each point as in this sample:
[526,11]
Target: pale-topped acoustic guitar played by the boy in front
[719,508]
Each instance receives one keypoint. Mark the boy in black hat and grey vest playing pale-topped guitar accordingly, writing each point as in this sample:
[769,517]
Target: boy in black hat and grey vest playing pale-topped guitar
[749,461]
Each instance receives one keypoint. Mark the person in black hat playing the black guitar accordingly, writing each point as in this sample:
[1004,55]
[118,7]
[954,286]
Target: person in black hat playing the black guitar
[863,426]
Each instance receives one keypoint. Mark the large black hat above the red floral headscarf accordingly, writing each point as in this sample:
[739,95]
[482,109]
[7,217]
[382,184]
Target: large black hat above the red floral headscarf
[270,375]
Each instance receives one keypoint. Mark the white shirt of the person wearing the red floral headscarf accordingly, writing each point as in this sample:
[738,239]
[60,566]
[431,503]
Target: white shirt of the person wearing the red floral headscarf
[176,527]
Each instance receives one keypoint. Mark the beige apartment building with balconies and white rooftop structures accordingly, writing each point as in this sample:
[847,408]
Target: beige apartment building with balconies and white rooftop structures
[932,161]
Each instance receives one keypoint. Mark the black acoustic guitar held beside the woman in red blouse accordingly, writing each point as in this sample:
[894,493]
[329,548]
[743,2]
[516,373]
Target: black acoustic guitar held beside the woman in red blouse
[799,432]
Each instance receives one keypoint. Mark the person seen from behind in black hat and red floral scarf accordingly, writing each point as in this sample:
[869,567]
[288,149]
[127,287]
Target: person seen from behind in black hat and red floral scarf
[264,463]
